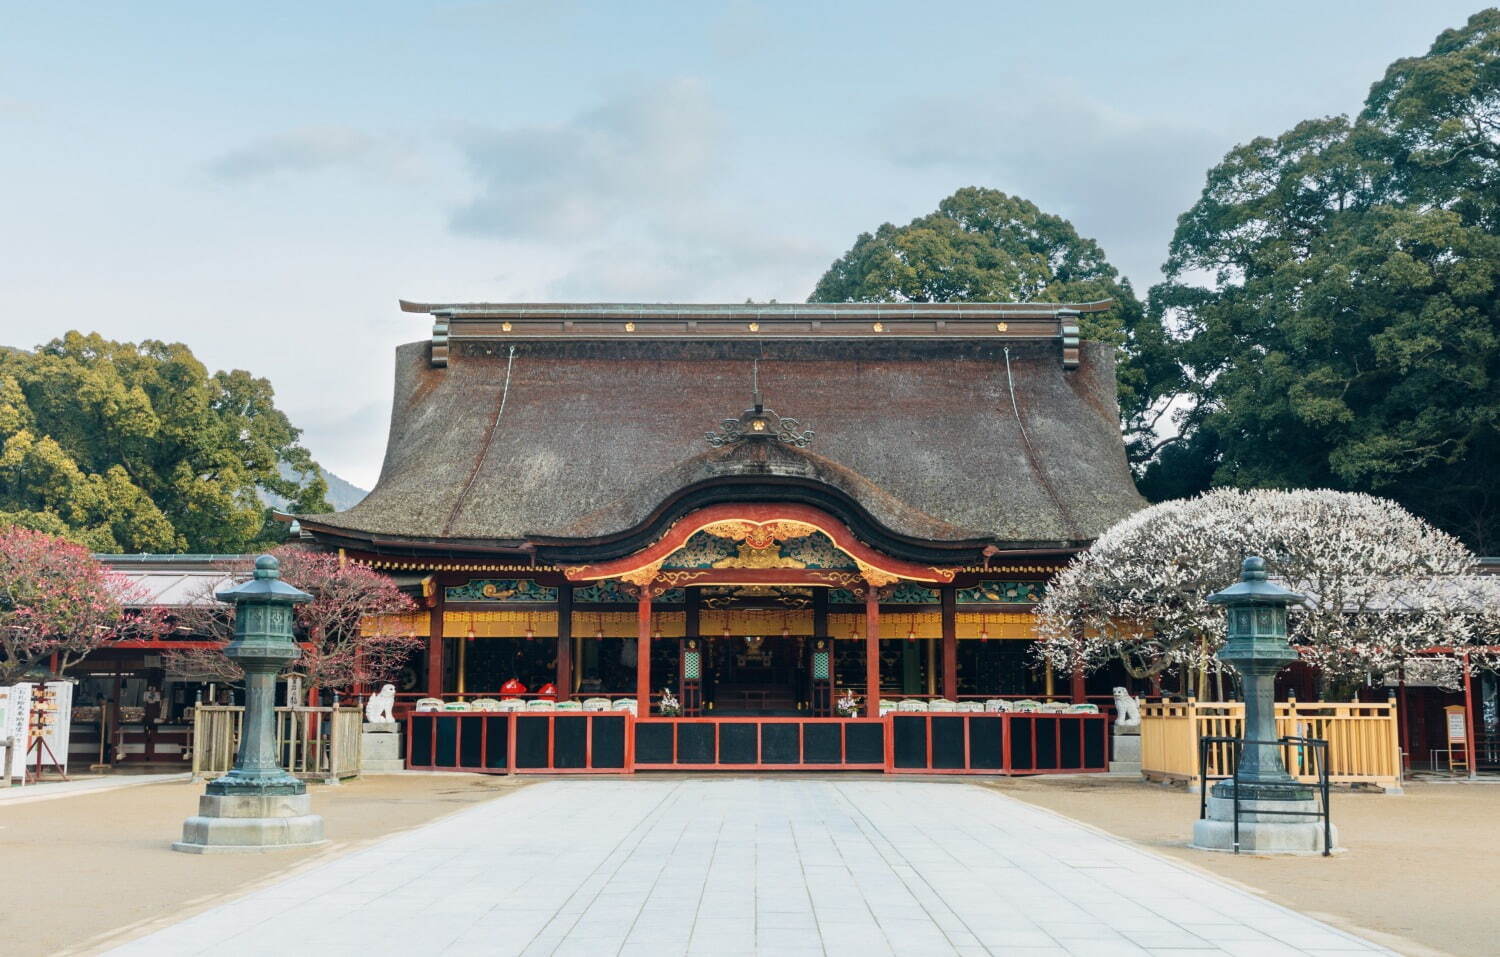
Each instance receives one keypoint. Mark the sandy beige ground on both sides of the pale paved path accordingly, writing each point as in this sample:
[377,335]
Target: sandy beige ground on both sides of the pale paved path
[1421,872]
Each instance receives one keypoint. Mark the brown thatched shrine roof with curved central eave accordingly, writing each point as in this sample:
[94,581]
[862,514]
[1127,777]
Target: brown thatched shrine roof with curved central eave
[590,440]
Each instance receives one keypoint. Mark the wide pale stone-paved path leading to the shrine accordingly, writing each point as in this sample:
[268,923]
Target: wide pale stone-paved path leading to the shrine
[751,866]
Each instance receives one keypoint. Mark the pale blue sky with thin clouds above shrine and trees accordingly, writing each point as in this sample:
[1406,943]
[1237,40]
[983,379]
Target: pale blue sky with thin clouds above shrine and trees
[265,181]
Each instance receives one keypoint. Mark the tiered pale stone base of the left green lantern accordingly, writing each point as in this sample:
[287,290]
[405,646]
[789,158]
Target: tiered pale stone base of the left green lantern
[251,824]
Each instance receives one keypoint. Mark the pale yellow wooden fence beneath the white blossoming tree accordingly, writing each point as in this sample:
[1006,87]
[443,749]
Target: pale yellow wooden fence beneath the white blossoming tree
[1363,740]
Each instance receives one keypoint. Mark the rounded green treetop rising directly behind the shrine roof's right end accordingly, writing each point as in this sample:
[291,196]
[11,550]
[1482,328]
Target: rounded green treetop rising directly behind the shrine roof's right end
[983,245]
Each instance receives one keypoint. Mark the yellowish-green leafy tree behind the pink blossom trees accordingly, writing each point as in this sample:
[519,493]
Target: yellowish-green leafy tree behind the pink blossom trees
[137,448]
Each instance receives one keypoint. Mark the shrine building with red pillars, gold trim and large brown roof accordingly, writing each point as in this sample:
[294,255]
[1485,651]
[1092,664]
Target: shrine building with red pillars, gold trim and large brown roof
[757,508]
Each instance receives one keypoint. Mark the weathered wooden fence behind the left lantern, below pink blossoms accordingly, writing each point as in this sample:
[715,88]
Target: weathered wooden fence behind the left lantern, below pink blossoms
[314,743]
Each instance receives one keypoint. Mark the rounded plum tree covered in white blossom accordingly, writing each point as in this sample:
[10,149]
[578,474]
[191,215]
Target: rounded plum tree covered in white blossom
[1384,586]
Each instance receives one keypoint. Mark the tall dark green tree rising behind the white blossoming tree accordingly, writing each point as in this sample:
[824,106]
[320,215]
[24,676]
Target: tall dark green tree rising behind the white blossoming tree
[1336,301]
